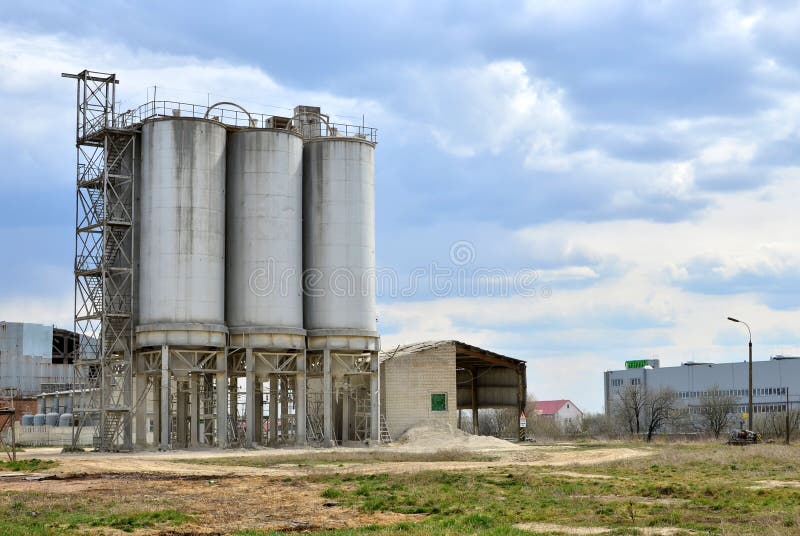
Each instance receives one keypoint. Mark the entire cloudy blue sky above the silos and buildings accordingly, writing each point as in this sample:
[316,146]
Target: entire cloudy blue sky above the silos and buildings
[571,183]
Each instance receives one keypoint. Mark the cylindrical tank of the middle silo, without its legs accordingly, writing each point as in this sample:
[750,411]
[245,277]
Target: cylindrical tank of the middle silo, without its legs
[264,257]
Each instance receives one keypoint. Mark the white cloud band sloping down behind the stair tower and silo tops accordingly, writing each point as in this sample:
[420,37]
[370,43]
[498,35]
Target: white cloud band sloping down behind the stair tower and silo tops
[34,98]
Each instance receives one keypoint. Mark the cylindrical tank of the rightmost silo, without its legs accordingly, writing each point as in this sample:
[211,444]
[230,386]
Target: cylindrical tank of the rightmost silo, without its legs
[339,235]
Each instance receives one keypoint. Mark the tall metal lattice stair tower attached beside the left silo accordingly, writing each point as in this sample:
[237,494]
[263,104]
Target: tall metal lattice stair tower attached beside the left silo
[104,274]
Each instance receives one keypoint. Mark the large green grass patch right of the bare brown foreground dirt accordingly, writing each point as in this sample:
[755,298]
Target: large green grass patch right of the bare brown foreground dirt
[702,489]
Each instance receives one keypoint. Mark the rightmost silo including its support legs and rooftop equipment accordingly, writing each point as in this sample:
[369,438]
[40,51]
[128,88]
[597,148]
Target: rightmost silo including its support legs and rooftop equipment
[339,264]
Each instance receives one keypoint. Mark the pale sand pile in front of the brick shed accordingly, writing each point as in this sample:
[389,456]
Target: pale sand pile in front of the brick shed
[432,437]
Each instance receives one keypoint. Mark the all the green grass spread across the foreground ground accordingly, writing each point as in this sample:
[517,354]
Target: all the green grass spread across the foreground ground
[702,488]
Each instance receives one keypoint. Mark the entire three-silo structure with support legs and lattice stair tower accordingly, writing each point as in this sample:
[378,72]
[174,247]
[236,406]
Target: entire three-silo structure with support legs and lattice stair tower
[224,265]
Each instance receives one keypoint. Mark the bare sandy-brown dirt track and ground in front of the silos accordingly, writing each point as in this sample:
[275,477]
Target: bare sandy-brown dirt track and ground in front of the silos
[226,498]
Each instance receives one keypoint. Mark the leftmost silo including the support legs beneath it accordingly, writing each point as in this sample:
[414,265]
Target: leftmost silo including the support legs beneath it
[181,334]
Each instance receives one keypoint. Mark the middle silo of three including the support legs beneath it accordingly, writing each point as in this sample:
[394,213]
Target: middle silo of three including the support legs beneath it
[264,294]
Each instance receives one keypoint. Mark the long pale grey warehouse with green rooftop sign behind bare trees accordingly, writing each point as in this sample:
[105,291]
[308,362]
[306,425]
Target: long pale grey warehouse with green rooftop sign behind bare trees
[772,381]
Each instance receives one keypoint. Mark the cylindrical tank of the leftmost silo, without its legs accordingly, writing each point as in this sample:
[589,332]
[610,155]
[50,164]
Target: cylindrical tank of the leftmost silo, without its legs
[182,233]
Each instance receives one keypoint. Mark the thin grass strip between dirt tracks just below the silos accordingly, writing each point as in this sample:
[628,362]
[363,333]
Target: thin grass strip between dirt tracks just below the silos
[329,457]
